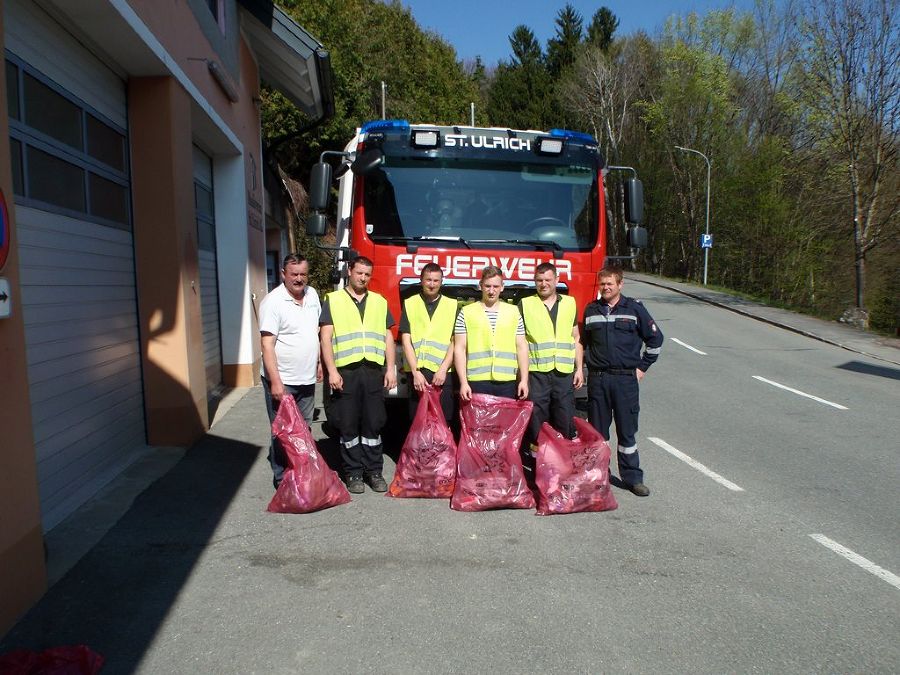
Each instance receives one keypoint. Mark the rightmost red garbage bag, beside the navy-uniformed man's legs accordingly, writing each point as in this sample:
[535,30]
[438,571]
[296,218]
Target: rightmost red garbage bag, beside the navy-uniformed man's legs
[573,475]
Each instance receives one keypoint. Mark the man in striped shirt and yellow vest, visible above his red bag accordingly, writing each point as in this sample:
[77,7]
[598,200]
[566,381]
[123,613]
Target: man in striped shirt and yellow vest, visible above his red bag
[490,352]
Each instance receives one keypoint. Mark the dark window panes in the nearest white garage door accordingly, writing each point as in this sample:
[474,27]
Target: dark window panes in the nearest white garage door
[65,157]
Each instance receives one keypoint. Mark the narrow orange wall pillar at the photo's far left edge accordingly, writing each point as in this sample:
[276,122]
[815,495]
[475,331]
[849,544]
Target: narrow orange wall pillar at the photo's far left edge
[22,571]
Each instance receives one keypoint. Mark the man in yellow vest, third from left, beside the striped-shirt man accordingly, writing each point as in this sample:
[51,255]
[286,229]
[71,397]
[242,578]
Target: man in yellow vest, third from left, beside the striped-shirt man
[426,335]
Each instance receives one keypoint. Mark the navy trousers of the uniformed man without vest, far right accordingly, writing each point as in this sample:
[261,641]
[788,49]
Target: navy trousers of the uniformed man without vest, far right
[615,397]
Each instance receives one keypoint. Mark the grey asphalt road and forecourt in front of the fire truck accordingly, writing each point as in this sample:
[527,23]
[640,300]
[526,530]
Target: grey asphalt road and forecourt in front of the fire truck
[717,571]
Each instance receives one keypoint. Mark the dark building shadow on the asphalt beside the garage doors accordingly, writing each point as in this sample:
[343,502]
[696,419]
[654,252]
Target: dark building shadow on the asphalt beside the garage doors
[118,595]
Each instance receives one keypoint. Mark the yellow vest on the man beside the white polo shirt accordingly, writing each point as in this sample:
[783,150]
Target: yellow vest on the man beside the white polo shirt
[356,338]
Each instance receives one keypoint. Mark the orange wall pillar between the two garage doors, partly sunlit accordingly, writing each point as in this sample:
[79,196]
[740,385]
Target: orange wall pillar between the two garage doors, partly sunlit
[166,263]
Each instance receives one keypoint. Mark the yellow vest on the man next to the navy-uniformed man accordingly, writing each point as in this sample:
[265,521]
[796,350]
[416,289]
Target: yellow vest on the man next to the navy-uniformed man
[549,347]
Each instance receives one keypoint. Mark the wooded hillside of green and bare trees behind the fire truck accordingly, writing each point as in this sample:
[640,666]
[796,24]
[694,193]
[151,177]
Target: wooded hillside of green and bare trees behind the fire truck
[759,94]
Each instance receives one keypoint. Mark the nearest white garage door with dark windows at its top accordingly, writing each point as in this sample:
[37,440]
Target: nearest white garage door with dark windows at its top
[71,180]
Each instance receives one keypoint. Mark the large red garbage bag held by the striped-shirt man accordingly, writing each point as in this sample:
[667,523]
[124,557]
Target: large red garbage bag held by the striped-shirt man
[489,468]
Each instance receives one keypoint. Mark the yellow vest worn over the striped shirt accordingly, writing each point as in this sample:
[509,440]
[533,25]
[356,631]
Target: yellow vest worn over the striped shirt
[491,355]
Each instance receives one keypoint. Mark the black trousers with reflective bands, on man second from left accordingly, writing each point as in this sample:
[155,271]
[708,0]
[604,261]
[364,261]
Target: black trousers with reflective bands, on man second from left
[358,413]
